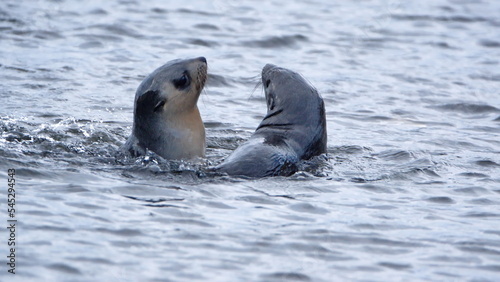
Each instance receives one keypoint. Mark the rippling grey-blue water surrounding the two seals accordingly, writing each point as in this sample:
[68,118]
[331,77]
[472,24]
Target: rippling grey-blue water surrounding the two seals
[409,189]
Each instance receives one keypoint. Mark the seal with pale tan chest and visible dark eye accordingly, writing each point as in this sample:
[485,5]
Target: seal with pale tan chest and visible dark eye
[166,117]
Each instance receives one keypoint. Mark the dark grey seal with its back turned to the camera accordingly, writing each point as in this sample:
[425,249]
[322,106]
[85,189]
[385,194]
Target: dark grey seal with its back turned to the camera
[294,128]
